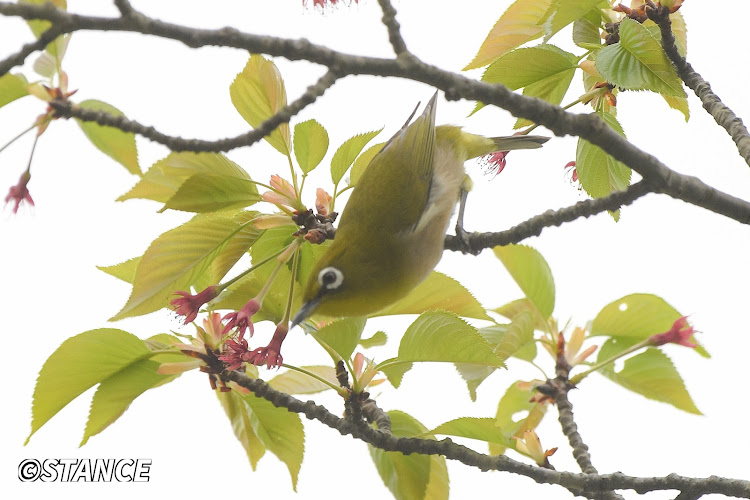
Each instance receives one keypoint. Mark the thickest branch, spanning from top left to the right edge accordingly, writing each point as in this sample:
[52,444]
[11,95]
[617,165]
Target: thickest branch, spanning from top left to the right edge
[589,127]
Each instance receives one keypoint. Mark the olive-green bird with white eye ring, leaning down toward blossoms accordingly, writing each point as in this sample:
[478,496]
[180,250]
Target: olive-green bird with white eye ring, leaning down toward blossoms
[392,229]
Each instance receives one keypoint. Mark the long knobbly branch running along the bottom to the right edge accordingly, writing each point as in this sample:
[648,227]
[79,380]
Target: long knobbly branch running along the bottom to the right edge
[467,456]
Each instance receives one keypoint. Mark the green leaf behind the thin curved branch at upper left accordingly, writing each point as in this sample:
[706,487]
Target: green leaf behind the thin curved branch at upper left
[118,145]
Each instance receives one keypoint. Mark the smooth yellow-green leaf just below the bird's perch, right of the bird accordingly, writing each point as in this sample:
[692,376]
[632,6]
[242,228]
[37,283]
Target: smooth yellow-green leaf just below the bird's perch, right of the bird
[532,274]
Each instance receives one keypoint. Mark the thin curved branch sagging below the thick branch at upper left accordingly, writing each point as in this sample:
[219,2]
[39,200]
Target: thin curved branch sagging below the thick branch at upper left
[67,109]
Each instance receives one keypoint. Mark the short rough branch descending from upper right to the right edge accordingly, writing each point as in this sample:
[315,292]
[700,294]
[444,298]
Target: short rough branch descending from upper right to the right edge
[722,114]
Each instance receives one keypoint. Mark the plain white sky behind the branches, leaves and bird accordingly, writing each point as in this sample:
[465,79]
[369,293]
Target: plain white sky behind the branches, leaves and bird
[51,289]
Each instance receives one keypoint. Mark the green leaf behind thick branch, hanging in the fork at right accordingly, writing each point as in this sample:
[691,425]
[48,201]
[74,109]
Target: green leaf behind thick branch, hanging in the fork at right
[599,173]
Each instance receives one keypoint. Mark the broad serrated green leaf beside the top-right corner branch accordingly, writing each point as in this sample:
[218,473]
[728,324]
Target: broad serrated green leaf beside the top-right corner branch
[637,62]
